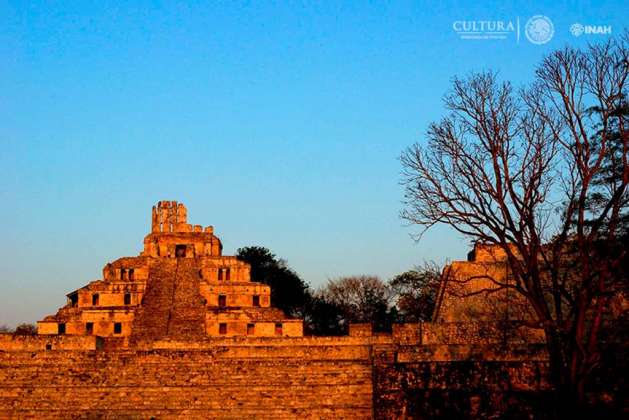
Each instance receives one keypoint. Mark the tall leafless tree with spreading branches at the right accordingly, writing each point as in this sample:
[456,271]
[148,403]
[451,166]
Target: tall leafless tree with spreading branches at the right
[514,168]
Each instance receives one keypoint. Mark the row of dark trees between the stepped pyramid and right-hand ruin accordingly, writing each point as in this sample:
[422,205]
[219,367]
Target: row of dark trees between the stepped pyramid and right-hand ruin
[347,299]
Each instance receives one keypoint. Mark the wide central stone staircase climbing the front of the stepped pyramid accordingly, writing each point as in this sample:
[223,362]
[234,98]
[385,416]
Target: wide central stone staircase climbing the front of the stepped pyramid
[172,306]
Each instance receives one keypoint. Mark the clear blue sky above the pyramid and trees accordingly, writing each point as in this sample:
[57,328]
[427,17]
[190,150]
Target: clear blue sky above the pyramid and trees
[279,124]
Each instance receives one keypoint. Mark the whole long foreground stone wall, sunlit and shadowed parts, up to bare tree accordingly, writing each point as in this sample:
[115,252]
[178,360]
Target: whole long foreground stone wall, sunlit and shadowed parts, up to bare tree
[359,376]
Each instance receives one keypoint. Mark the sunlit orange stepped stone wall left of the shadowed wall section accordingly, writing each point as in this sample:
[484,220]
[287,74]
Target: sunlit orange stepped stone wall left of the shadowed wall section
[183,384]
